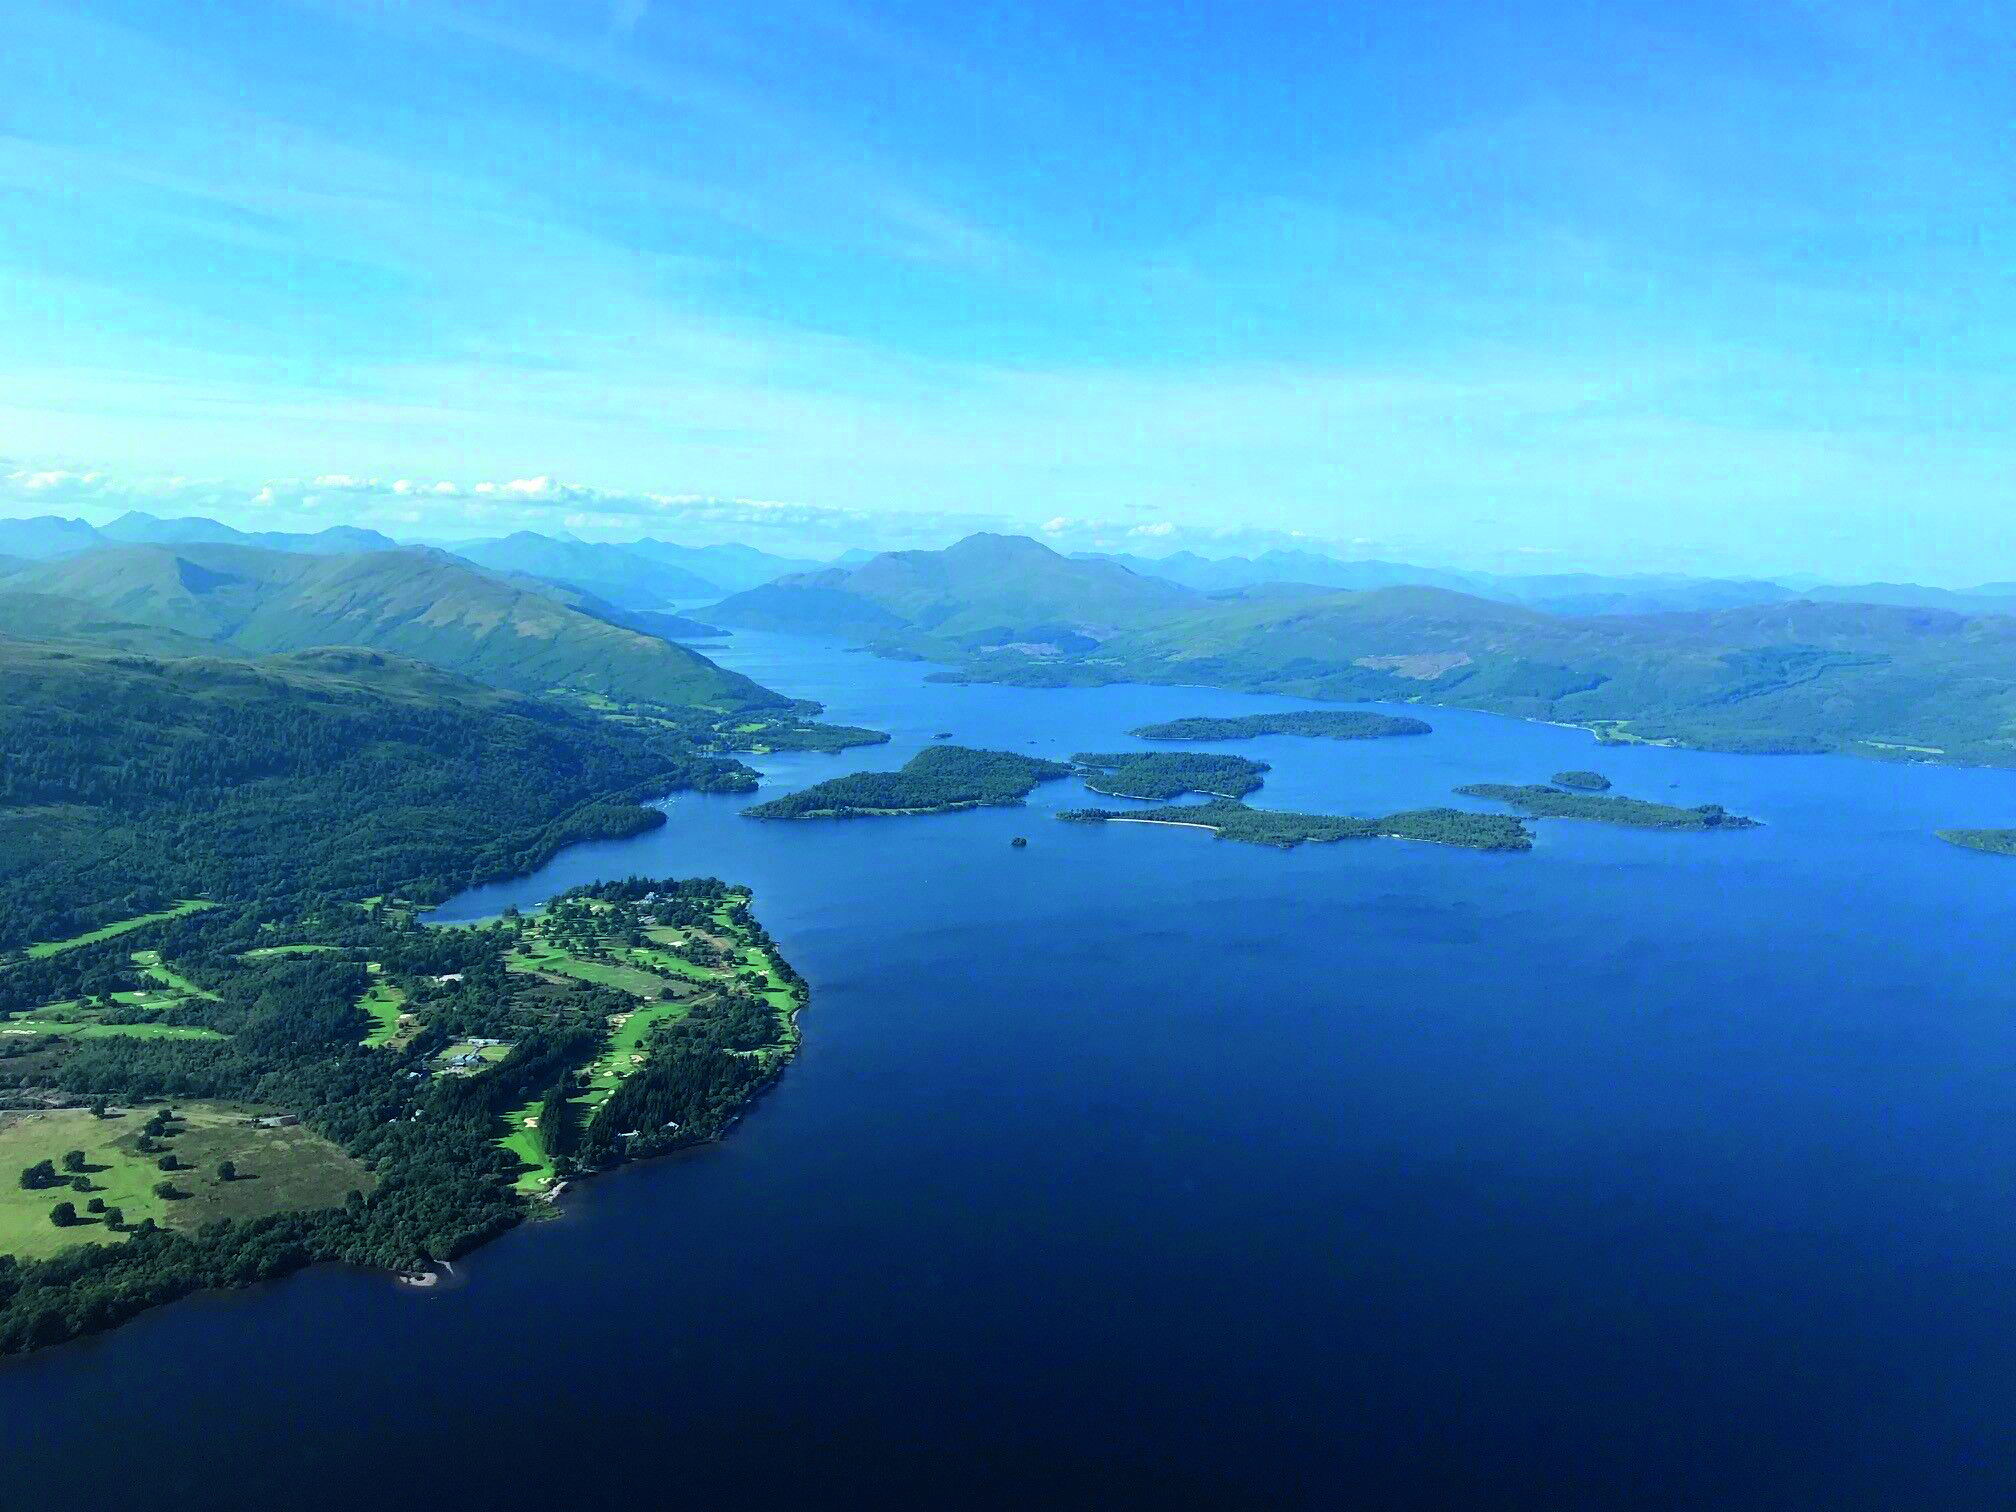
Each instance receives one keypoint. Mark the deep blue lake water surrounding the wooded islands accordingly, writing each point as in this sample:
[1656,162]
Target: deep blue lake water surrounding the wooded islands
[1652,1170]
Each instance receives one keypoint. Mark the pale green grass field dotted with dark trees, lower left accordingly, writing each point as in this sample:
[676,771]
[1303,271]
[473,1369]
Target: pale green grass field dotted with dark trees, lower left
[281,1170]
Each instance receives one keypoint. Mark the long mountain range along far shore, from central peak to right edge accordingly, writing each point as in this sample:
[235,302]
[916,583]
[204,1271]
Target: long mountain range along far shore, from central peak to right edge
[1785,676]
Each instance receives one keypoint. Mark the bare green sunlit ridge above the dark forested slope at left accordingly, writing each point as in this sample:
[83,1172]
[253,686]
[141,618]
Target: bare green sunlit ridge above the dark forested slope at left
[414,602]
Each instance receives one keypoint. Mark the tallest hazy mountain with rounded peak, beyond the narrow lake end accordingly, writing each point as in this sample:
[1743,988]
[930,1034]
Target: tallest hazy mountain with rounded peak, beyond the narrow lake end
[983,592]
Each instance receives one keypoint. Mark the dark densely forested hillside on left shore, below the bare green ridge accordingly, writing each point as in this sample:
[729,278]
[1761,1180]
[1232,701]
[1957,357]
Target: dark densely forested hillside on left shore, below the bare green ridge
[132,781]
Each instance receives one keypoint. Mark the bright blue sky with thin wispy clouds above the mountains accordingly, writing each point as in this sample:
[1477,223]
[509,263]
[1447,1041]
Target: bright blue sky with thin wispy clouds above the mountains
[1717,287]
